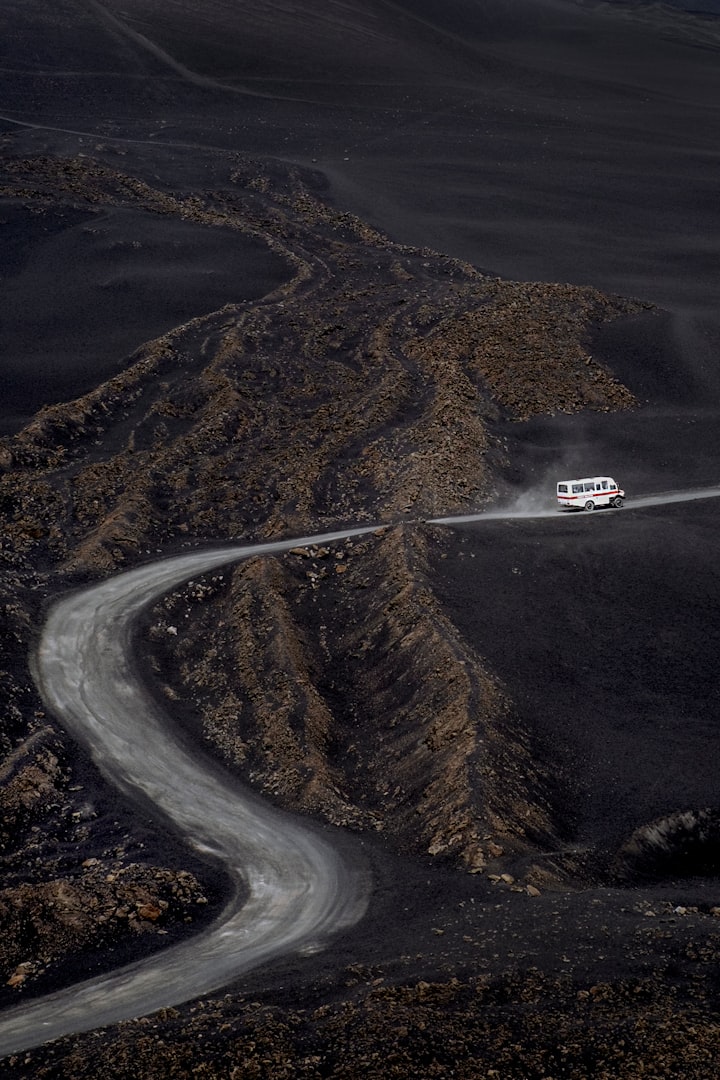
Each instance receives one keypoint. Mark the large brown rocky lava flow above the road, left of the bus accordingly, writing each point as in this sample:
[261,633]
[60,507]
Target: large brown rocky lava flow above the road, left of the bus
[366,388]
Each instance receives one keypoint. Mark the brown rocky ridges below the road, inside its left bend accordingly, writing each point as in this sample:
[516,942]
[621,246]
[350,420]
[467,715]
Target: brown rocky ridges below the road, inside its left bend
[332,681]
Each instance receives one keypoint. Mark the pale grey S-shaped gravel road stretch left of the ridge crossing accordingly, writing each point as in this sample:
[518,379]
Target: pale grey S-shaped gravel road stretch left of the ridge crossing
[292,886]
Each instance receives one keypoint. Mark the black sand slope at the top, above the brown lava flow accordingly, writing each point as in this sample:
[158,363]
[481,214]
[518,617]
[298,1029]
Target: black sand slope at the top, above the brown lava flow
[560,141]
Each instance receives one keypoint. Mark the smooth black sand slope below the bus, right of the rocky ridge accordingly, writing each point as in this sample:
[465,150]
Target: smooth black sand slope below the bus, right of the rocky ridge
[605,629]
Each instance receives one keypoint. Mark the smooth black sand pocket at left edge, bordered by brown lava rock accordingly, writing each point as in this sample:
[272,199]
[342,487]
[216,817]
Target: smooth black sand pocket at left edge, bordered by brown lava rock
[83,290]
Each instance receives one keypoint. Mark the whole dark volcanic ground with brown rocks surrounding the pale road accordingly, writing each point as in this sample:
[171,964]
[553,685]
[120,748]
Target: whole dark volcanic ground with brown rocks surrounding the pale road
[532,777]
